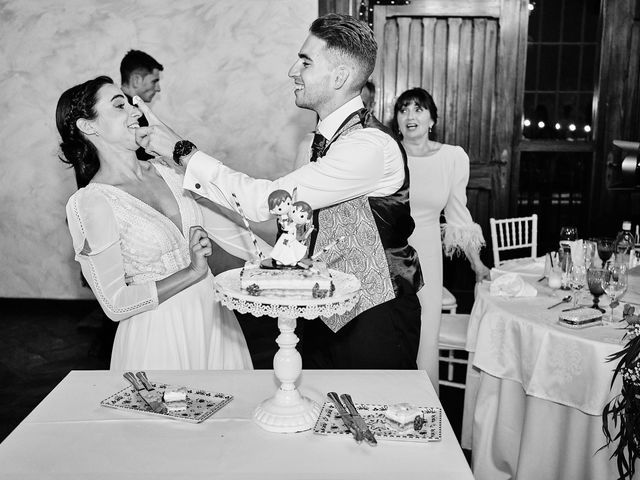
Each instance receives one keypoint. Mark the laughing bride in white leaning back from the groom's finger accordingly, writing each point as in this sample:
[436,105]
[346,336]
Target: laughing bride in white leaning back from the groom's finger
[137,236]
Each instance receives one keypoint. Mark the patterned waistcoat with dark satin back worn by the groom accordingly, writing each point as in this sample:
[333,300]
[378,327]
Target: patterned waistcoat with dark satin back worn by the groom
[376,231]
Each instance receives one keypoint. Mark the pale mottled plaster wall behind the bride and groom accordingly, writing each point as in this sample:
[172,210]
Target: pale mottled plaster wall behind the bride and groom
[225,86]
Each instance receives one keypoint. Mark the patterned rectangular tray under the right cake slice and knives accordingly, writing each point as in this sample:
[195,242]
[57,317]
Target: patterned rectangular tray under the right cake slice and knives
[330,423]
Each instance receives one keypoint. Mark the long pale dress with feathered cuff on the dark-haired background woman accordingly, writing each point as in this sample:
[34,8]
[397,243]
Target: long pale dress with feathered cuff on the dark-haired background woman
[438,181]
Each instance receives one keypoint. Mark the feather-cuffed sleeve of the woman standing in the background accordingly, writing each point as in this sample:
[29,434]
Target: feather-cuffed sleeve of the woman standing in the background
[460,234]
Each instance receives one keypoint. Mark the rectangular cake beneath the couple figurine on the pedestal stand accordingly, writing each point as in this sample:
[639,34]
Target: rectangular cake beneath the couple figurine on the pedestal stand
[314,282]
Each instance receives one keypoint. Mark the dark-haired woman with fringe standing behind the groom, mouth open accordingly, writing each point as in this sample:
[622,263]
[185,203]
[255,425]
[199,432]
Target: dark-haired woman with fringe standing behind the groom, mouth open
[439,176]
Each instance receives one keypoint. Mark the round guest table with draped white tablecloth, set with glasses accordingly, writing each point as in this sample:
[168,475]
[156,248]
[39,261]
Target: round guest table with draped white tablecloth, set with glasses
[535,387]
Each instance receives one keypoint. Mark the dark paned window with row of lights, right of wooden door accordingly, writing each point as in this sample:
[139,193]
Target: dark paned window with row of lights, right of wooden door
[556,149]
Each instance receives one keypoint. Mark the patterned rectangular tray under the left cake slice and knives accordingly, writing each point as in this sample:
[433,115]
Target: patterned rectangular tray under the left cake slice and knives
[200,403]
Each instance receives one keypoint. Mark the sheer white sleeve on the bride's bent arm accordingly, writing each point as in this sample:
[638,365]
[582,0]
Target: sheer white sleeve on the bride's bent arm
[96,242]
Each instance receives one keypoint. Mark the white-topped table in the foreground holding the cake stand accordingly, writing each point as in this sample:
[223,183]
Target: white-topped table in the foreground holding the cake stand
[71,434]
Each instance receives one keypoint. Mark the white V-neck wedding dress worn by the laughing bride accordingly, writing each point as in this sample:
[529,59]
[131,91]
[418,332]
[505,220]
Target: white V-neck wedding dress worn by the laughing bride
[124,246]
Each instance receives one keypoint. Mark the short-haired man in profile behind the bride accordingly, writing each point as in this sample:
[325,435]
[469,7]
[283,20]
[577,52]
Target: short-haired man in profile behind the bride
[140,75]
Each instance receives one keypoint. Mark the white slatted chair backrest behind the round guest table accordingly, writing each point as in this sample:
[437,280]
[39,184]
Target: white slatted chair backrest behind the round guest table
[514,234]
